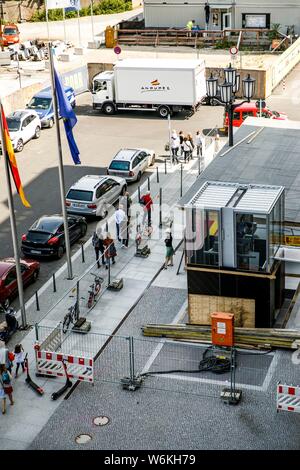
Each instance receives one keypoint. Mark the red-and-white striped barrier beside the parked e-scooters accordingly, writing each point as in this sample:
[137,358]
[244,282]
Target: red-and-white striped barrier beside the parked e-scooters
[50,363]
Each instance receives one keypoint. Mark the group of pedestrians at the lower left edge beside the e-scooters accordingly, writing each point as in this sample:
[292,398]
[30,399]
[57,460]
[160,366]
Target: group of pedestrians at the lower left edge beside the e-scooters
[7,359]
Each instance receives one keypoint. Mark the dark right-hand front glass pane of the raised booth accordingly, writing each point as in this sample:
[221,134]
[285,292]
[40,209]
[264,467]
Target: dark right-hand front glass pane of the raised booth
[251,242]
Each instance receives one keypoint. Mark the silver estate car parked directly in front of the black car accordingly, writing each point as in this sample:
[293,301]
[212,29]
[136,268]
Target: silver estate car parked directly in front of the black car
[92,194]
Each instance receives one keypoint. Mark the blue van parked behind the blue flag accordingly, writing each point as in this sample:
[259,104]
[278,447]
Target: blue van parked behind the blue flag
[42,104]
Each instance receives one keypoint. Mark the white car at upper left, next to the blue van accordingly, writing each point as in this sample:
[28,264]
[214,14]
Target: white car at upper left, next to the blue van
[23,126]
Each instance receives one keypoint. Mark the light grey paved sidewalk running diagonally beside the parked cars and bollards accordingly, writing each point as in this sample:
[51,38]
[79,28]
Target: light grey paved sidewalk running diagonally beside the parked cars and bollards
[24,421]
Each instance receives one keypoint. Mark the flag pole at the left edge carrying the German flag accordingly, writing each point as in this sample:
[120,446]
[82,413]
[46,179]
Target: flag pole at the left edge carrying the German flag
[13,223]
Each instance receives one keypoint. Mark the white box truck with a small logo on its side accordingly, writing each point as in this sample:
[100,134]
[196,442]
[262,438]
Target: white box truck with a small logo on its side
[162,85]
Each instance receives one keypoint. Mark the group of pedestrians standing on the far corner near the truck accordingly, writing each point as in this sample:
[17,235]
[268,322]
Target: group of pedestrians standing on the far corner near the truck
[184,145]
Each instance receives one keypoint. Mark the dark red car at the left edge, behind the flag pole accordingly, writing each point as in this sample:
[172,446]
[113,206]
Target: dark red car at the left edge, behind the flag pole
[8,277]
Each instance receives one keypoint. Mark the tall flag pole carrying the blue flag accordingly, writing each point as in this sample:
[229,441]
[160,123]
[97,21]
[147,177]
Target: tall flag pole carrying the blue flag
[60,164]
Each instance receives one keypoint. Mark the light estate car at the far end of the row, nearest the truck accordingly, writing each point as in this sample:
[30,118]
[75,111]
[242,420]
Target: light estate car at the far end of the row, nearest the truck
[131,163]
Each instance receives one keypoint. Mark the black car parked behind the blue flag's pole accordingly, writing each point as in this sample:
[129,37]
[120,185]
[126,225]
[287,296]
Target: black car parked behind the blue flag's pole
[46,236]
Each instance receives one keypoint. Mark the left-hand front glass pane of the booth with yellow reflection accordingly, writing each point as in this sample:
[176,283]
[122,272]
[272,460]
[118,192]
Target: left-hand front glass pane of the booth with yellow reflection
[206,252]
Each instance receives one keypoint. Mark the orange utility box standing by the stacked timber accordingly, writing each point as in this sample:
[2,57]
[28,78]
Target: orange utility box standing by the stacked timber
[222,329]
